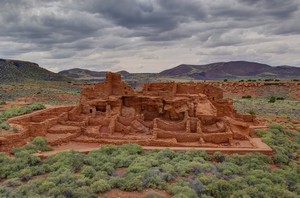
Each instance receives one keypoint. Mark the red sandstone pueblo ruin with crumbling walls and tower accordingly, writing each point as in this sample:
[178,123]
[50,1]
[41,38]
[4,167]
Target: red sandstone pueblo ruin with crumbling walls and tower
[162,114]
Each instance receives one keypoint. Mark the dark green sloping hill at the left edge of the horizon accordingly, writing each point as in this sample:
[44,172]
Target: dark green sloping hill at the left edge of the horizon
[18,71]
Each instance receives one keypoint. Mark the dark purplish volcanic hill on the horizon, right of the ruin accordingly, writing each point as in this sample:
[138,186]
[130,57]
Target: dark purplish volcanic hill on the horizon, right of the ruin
[234,69]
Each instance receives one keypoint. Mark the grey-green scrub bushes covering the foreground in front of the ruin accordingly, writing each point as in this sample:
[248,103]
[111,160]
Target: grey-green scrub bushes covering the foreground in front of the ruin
[129,168]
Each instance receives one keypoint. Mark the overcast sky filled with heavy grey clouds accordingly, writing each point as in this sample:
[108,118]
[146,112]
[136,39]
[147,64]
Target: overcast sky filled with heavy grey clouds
[149,35]
